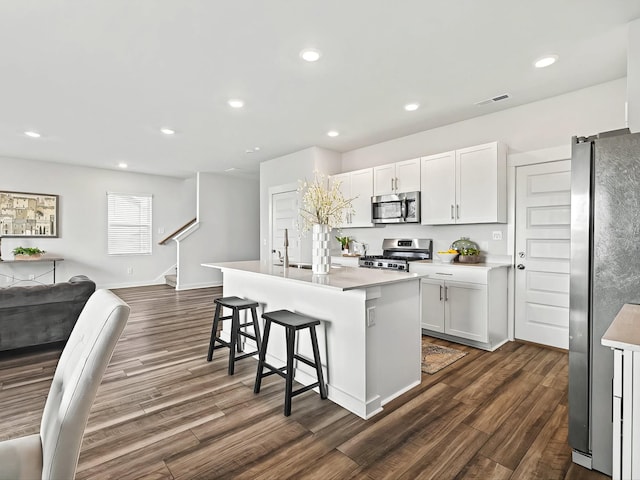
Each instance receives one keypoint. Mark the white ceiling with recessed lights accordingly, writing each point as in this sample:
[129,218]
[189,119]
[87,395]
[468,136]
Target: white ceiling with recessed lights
[98,78]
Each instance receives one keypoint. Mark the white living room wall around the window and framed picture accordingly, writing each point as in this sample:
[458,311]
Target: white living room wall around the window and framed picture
[82,237]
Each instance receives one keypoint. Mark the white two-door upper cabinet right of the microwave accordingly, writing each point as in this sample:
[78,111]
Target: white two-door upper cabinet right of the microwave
[465,186]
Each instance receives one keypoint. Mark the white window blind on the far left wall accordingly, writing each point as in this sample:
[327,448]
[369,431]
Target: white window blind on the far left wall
[129,223]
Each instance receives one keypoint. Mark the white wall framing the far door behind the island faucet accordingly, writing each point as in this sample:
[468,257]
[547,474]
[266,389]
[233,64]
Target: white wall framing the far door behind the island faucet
[289,169]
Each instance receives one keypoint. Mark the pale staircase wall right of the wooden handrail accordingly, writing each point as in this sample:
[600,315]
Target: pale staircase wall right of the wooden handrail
[229,219]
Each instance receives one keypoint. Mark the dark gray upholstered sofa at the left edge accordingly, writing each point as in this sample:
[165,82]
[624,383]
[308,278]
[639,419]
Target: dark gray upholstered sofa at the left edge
[41,314]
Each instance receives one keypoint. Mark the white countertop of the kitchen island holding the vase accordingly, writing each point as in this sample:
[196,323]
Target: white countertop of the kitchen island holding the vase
[340,277]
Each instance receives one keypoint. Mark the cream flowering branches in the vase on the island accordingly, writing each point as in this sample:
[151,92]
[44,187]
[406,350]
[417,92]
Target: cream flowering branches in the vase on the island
[322,202]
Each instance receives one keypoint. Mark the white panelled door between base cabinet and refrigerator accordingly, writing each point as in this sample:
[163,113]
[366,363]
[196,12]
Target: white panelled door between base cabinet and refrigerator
[543,234]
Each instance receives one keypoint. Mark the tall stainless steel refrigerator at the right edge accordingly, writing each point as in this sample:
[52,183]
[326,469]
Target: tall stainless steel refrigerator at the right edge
[605,274]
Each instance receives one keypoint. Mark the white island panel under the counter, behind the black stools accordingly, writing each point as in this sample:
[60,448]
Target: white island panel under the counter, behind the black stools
[342,334]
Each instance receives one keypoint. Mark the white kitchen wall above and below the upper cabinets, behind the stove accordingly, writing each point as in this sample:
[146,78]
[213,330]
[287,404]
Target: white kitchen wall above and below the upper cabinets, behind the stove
[532,127]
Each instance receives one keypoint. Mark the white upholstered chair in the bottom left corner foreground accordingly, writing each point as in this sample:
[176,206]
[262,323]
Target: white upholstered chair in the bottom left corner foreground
[53,453]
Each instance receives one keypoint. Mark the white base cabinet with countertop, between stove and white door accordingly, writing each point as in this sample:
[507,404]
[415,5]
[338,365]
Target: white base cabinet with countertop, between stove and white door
[464,304]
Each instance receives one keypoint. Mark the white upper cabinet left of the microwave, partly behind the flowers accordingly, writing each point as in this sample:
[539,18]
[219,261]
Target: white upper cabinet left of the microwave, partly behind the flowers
[359,186]
